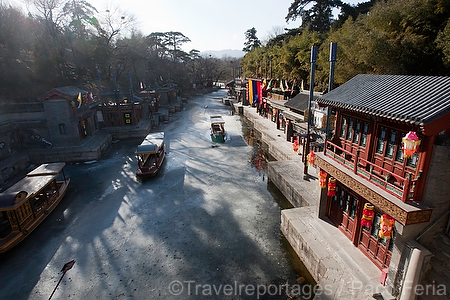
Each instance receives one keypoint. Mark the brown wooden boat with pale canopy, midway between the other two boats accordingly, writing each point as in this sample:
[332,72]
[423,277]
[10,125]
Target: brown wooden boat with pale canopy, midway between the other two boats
[150,153]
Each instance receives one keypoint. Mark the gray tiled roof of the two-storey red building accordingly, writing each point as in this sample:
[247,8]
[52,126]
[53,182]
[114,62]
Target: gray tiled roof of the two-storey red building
[417,100]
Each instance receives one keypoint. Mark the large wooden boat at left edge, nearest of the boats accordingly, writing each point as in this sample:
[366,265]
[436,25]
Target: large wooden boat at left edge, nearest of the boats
[24,205]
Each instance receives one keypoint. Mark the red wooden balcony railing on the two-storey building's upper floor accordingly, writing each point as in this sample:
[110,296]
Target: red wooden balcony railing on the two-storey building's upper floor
[402,188]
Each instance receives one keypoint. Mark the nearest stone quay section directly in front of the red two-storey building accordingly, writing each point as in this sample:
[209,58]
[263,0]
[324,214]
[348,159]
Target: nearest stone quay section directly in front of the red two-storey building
[335,263]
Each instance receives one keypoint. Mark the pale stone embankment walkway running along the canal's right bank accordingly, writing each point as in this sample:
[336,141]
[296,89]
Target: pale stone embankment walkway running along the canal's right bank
[339,268]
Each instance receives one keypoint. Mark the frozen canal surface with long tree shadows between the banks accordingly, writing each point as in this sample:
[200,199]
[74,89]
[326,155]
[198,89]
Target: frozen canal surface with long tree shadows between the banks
[205,228]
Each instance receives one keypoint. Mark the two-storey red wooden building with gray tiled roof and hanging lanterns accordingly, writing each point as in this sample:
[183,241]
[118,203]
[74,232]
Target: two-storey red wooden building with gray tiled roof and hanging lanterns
[383,196]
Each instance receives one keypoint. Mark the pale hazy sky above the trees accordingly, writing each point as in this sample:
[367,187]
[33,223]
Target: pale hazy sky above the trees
[209,24]
